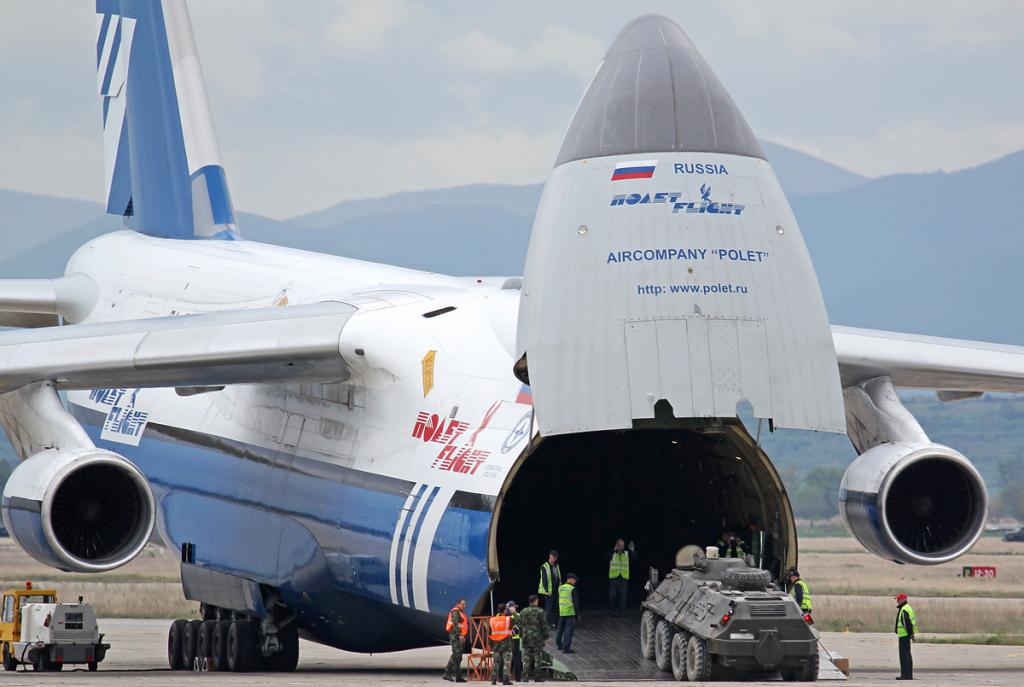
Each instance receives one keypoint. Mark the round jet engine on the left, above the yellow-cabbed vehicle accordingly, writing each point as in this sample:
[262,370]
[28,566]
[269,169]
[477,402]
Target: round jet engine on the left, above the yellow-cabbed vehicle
[84,510]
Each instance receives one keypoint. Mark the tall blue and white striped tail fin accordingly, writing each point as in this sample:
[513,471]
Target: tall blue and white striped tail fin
[164,173]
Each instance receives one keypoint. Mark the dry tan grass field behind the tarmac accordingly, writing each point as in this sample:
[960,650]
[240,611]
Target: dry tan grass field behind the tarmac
[852,590]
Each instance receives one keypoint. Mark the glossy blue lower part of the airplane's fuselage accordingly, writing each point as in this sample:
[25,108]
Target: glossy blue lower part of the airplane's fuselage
[350,516]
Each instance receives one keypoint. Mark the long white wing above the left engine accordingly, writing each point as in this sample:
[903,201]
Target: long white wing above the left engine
[292,343]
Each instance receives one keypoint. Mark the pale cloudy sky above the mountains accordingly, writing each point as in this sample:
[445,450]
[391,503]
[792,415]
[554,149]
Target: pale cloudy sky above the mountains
[323,101]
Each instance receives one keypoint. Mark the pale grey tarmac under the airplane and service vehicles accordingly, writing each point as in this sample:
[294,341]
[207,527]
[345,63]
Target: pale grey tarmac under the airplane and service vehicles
[139,657]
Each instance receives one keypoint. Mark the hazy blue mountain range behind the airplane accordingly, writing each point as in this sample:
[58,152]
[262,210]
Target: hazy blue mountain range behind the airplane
[931,253]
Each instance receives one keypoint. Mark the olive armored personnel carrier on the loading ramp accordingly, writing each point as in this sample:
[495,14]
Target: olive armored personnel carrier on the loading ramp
[722,613]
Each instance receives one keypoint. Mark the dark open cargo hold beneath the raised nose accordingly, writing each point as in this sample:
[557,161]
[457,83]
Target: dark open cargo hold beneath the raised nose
[663,488]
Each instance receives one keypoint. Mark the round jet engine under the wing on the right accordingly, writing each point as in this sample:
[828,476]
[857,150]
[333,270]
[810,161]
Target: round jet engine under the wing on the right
[914,503]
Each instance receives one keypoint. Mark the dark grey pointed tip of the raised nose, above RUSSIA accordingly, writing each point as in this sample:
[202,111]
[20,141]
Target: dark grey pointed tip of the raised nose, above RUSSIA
[655,94]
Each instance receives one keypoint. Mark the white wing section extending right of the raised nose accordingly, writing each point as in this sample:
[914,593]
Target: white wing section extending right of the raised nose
[928,363]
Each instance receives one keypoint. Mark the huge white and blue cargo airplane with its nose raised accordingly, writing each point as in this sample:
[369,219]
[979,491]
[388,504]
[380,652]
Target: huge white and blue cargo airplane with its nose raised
[340,450]
